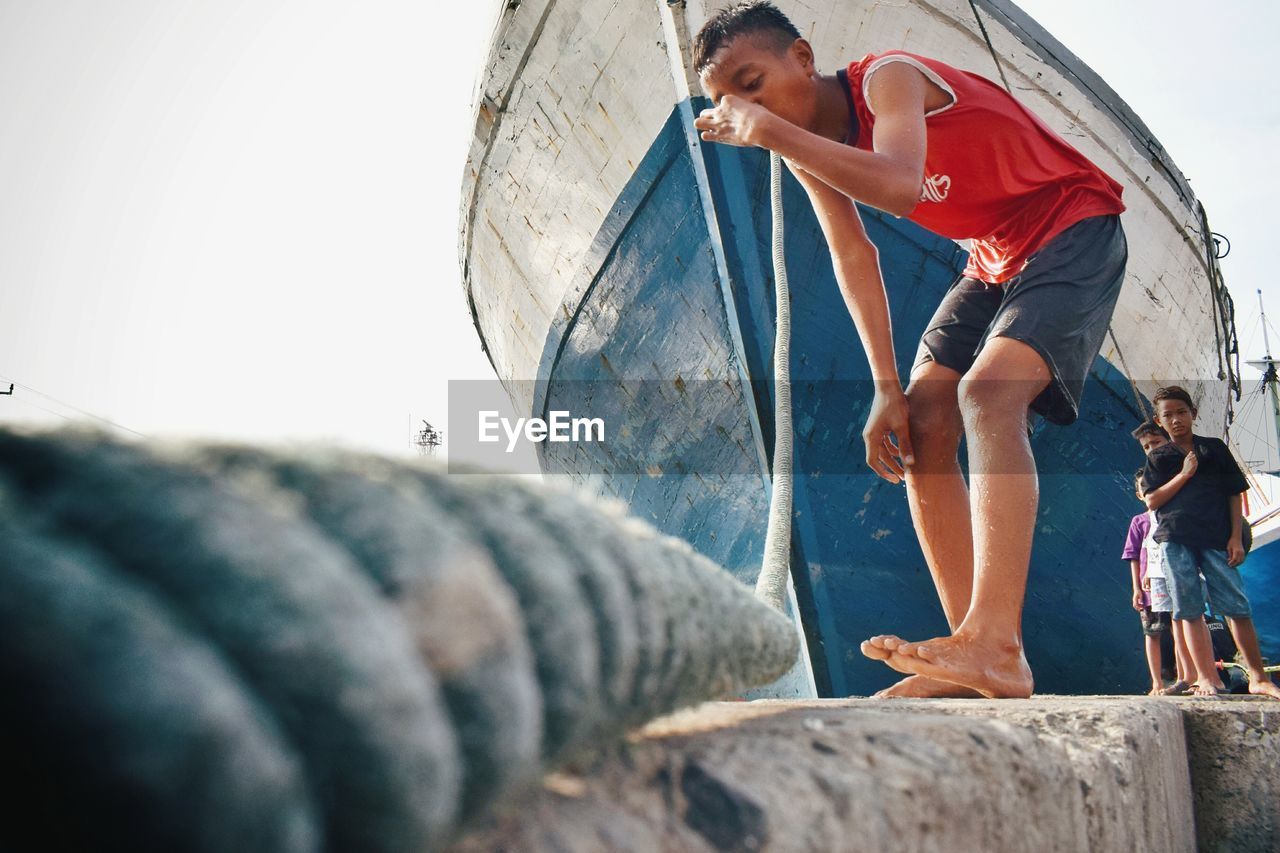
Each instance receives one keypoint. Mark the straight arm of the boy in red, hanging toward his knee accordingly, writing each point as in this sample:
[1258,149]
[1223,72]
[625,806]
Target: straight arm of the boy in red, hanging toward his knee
[857,266]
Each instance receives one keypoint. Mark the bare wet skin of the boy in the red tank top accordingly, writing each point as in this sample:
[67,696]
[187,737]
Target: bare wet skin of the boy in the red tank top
[771,97]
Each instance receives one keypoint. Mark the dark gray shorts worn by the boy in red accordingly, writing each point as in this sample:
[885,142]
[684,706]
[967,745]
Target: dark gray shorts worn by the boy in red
[1060,305]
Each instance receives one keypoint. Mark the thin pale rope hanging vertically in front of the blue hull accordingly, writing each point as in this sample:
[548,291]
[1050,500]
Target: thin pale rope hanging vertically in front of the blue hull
[772,586]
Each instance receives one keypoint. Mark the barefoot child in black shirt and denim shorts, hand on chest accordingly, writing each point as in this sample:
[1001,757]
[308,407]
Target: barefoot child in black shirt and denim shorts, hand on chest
[1195,487]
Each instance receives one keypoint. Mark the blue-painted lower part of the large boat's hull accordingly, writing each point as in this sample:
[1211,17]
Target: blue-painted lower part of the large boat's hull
[651,340]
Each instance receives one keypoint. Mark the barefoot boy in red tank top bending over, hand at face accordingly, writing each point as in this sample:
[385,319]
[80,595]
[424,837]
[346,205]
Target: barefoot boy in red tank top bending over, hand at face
[1018,331]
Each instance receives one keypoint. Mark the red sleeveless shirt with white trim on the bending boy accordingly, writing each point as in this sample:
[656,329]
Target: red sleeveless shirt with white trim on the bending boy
[994,172]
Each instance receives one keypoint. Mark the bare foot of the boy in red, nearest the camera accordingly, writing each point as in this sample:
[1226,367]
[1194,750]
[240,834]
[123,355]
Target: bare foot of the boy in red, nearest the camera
[995,672]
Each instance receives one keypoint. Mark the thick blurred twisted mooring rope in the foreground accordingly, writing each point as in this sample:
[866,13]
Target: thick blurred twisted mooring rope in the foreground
[222,649]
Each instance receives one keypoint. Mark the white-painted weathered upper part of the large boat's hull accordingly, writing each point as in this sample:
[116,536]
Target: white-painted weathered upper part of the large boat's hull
[575,93]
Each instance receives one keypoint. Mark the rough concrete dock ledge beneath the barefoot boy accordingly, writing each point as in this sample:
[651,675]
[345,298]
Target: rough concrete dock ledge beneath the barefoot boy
[1091,774]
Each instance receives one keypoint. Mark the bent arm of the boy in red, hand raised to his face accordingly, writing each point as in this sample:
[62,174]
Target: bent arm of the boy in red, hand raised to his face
[888,179]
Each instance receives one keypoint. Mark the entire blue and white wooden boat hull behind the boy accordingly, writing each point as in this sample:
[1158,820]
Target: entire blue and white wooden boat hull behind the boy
[602,243]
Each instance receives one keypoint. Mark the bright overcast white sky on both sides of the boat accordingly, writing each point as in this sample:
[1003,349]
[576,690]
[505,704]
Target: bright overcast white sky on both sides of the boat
[239,218]
